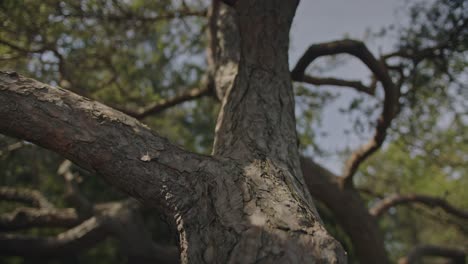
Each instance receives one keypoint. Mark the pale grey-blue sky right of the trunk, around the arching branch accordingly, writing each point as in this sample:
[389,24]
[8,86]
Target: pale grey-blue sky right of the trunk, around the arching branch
[319,21]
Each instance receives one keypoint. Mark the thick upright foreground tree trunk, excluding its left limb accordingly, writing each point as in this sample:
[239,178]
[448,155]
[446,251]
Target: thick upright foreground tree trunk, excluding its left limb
[261,210]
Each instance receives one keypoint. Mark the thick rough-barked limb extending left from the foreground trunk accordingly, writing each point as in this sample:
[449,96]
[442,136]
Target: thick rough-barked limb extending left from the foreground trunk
[117,147]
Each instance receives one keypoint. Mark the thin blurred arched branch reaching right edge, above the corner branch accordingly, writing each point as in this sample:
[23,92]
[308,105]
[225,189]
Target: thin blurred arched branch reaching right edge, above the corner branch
[430,201]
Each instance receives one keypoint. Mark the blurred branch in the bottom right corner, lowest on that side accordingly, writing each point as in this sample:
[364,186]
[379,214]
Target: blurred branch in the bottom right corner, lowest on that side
[458,256]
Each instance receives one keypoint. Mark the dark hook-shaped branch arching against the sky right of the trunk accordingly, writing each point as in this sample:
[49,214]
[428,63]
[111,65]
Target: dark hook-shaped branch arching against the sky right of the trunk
[359,50]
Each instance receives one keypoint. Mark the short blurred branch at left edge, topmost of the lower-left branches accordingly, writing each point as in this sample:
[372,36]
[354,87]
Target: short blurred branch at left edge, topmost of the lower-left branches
[31,197]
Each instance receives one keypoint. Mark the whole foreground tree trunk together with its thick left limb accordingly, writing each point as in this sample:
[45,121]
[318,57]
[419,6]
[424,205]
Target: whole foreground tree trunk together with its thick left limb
[248,203]
